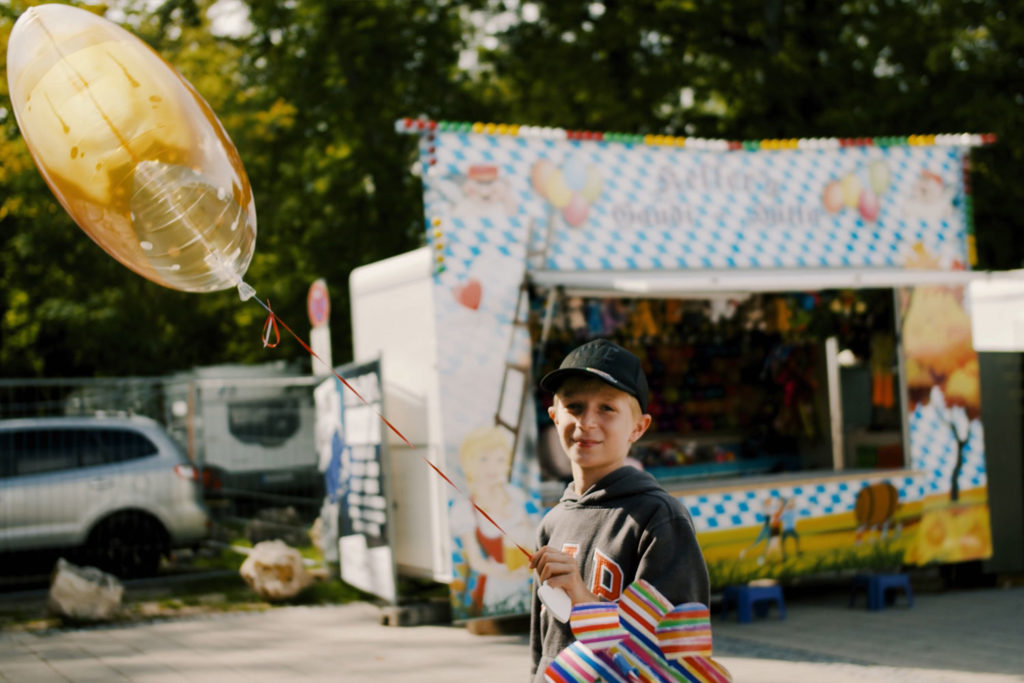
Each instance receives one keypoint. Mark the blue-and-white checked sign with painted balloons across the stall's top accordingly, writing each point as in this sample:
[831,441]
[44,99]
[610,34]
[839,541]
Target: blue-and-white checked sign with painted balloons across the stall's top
[667,208]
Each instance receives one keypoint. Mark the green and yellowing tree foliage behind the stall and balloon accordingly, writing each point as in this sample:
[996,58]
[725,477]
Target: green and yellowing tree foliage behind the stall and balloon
[311,90]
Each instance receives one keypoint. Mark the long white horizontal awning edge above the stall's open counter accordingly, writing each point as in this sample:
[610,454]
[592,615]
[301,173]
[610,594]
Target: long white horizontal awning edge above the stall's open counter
[711,282]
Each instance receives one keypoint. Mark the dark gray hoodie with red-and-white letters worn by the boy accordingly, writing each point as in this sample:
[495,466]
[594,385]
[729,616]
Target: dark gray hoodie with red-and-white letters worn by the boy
[623,529]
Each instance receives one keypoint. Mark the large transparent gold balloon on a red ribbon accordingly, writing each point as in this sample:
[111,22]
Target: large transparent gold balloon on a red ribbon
[131,150]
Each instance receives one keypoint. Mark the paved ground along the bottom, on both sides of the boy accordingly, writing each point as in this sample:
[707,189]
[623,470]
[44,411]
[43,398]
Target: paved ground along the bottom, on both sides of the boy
[975,635]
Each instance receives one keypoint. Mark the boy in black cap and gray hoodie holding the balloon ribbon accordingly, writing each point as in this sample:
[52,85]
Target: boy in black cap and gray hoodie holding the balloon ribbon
[615,524]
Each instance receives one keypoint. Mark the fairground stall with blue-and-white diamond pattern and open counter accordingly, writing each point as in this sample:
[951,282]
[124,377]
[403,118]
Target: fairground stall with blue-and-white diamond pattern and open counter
[799,307]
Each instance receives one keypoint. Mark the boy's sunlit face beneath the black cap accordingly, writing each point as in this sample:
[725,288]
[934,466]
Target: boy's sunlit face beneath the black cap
[596,425]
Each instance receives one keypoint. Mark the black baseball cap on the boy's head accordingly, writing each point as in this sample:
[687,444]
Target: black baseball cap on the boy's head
[606,361]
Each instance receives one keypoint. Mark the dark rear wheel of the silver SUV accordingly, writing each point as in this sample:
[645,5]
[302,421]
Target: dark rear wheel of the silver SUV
[129,545]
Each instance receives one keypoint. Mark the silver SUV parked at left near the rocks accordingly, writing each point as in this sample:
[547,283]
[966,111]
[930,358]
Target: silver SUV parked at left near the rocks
[116,493]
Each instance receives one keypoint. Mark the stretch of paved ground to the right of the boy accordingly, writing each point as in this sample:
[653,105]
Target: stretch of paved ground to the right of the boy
[974,635]
